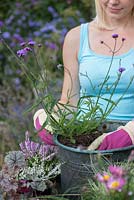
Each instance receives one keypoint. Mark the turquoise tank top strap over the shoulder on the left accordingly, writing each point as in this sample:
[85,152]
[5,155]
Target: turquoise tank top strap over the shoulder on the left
[84,41]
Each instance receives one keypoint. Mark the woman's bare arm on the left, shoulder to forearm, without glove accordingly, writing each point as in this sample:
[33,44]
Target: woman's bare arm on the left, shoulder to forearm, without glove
[70,90]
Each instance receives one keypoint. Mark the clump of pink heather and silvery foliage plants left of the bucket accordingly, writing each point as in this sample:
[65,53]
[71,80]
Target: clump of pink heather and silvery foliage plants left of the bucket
[32,168]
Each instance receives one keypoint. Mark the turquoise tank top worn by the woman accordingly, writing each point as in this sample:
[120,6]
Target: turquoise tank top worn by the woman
[92,71]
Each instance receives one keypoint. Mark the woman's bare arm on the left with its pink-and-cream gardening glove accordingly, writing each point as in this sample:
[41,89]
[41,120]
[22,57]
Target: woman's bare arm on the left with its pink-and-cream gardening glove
[70,90]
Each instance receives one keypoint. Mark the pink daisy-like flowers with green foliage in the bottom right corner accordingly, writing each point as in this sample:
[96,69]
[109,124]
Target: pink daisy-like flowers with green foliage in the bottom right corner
[114,183]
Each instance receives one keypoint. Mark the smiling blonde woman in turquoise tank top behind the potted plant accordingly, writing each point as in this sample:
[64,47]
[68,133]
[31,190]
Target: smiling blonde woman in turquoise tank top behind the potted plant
[85,55]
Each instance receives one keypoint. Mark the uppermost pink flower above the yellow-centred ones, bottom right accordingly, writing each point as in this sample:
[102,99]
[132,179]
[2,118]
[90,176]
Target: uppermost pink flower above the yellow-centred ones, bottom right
[116,171]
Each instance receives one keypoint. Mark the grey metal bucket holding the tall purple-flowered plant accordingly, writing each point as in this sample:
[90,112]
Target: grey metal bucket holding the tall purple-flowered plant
[78,165]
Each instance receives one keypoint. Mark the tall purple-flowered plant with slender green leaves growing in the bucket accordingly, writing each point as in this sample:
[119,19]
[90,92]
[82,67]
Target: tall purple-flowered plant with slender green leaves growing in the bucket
[83,120]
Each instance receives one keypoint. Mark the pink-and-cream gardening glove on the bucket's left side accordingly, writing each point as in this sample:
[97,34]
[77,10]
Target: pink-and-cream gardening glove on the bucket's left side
[45,135]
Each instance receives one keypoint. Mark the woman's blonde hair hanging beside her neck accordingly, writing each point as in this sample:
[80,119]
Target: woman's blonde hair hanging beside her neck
[101,17]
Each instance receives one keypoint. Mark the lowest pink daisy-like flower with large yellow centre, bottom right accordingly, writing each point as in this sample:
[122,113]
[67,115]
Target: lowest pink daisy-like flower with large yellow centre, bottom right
[115,183]
